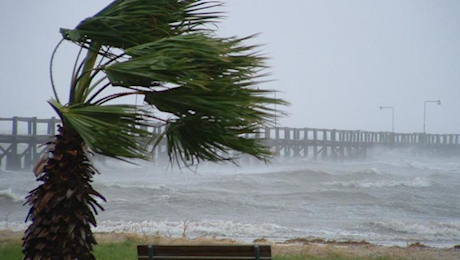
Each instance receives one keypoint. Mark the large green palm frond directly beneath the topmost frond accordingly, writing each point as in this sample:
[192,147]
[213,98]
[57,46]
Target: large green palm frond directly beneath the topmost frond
[186,60]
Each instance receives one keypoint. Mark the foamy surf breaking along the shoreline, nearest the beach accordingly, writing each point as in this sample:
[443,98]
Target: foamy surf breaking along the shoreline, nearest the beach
[385,232]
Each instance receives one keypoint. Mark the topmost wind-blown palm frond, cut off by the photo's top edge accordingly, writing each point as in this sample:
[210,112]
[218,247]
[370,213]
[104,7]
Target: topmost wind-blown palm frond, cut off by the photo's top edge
[127,23]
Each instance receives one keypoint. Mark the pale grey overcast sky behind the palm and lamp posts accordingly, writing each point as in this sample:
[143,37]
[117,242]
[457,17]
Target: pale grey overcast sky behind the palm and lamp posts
[336,62]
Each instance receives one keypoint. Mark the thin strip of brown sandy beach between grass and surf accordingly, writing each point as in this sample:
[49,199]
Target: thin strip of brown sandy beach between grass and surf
[293,247]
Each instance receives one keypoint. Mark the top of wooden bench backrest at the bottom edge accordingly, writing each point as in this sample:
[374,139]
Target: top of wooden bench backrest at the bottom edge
[204,252]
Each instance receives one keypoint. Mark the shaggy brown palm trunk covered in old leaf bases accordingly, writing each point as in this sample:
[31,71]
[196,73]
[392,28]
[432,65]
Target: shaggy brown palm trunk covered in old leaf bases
[62,206]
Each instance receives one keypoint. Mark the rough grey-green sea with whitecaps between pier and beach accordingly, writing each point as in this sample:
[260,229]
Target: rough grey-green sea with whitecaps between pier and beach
[389,199]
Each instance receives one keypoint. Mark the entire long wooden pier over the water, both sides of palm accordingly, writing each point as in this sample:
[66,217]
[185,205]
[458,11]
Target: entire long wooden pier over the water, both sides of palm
[22,139]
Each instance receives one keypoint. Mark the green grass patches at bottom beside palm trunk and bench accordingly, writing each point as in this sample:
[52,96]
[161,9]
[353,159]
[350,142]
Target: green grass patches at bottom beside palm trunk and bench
[127,250]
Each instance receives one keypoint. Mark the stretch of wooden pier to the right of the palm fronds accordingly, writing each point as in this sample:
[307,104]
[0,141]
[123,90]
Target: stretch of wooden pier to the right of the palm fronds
[345,144]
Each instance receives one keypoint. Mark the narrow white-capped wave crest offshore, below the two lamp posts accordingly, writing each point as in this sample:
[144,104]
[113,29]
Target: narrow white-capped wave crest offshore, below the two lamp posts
[414,183]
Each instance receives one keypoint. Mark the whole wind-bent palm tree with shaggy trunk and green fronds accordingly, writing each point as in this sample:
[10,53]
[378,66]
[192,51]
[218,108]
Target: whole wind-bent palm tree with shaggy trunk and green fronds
[166,51]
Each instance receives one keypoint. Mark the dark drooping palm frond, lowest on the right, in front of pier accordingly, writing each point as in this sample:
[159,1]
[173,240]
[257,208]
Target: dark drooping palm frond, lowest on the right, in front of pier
[194,138]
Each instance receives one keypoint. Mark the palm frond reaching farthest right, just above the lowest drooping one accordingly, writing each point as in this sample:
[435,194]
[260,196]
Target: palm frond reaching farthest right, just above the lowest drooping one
[224,100]
